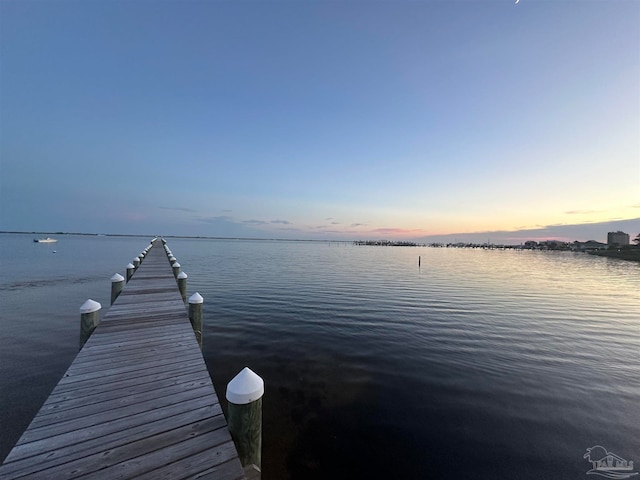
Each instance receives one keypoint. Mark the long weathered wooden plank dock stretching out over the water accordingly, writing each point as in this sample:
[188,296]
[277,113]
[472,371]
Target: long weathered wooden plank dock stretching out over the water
[137,402]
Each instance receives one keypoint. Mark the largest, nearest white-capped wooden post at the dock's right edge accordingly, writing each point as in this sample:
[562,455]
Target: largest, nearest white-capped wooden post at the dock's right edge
[244,394]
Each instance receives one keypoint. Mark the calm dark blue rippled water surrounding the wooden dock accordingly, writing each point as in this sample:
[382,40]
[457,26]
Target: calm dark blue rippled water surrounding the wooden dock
[480,364]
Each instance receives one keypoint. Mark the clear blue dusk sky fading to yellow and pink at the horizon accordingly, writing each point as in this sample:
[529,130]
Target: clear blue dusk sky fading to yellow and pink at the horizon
[321,119]
